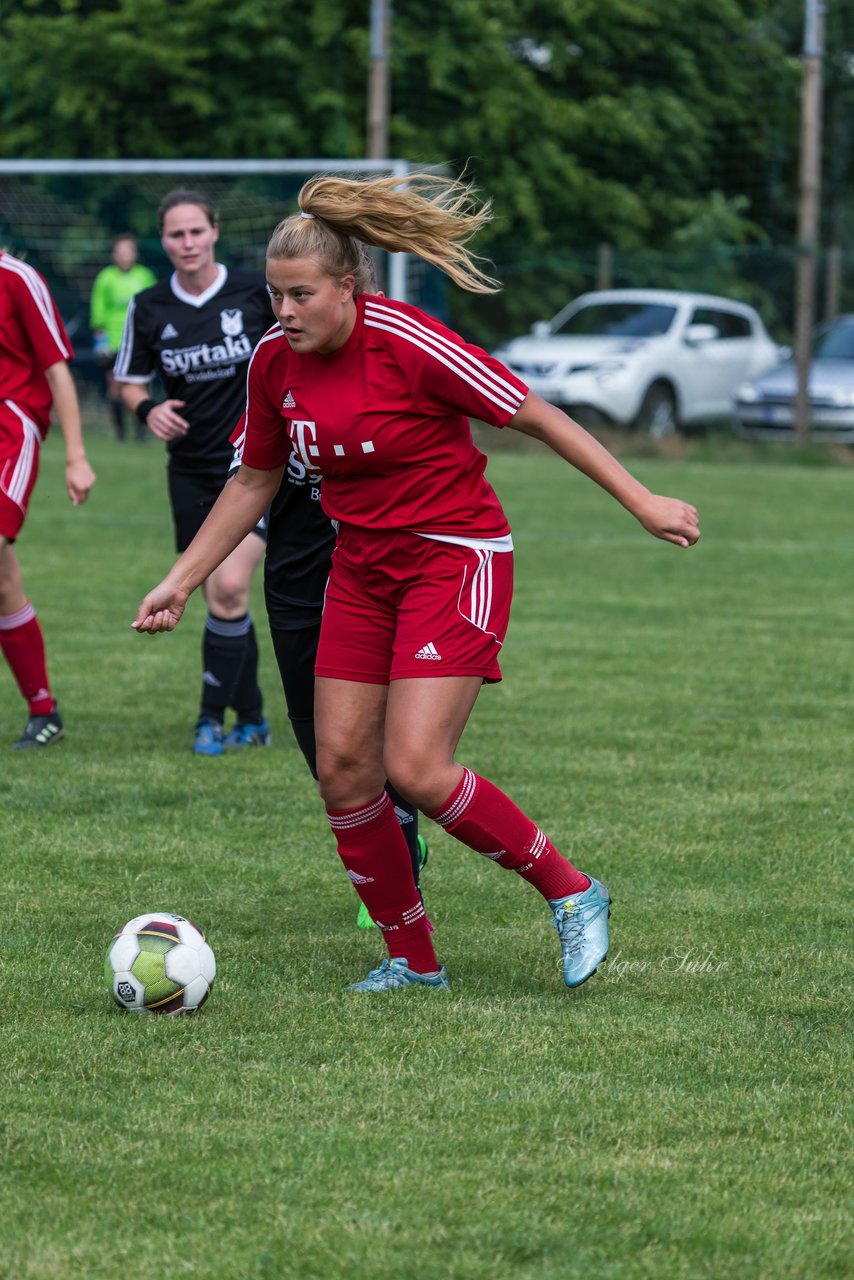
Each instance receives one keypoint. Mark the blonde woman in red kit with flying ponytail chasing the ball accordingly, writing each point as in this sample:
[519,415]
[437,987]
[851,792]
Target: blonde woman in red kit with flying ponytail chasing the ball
[376,396]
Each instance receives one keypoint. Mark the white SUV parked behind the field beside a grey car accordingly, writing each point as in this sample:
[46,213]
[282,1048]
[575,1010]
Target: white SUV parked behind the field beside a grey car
[651,359]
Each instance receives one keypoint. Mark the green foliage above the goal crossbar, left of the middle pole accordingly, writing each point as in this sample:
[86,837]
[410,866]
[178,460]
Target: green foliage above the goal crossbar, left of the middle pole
[126,79]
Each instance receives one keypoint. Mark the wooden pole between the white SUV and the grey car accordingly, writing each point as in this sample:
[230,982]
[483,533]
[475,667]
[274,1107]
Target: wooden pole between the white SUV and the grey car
[809,205]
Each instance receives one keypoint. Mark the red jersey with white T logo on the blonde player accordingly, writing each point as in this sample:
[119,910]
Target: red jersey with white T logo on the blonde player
[385,420]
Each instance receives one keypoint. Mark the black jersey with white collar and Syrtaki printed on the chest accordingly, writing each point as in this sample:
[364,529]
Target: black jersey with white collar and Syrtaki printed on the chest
[200,346]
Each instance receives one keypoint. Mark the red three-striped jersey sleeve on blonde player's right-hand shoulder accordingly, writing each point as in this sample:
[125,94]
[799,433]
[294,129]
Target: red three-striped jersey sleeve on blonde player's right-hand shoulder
[444,369]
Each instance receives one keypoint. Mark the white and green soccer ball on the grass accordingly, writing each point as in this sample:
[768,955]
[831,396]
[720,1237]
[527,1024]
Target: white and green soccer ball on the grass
[161,964]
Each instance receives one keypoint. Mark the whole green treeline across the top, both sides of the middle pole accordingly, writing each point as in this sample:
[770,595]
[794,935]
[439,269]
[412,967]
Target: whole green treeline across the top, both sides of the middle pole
[632,122]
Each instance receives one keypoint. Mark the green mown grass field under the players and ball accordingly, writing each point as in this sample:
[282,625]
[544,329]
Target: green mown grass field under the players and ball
[682,724]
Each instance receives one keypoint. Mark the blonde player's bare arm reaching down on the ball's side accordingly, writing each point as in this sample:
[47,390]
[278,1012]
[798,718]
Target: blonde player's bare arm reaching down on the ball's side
[238,511]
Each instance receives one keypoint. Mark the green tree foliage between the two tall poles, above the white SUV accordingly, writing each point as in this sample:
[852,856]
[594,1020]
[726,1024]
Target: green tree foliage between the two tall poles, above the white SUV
[595,121]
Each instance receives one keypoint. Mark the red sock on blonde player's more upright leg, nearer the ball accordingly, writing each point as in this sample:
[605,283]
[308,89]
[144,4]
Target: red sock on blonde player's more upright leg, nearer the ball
[375,852]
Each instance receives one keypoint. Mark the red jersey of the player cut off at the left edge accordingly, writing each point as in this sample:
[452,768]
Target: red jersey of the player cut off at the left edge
[33,339]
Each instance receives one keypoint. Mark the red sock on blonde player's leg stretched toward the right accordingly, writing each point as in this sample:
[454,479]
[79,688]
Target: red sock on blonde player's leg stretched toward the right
[488,821]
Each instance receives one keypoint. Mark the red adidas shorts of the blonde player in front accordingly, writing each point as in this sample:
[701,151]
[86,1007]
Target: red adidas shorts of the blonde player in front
[403,607]
